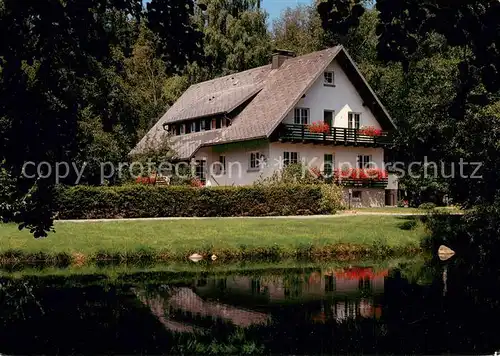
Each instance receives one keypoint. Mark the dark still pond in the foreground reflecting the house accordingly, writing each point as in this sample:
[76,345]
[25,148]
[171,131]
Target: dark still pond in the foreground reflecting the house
[393,307]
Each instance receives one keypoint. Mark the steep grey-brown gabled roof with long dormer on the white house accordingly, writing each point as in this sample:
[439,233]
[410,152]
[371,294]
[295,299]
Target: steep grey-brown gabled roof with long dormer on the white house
[276,93]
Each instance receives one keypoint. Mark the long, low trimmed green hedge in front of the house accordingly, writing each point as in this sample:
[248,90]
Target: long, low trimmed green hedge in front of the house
[142,201]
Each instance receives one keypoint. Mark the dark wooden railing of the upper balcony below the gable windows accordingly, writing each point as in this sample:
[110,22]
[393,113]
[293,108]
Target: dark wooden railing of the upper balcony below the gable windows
[335,135]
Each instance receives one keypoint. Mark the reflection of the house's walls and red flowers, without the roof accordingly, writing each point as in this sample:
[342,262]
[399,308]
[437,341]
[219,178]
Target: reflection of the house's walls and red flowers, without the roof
[341,294]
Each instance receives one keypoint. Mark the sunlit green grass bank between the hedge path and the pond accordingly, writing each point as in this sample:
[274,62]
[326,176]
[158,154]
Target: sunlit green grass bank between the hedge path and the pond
[349,237]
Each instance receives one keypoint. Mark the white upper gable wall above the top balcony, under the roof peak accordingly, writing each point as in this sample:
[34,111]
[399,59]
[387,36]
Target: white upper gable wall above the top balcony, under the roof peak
[341,99]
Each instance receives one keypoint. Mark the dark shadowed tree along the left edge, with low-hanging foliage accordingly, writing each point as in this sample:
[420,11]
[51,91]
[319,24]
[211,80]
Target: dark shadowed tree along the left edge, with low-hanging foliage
[51,50]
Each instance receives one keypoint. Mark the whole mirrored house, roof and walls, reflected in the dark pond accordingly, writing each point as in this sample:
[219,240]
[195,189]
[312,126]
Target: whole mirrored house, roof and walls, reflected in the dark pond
[244,301]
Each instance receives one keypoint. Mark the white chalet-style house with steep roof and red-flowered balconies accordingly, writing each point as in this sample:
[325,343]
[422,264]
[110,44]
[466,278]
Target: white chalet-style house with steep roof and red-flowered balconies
[316,109]
